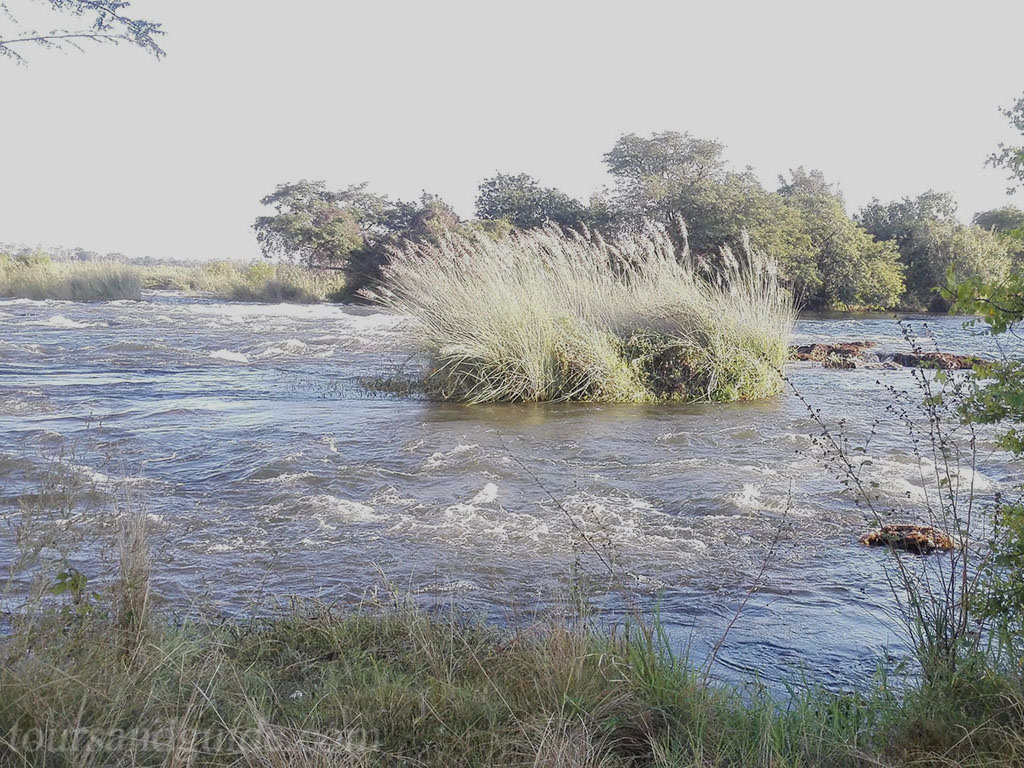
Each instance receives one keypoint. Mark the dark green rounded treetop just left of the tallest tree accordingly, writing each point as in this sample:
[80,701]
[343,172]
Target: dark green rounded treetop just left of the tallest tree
[523,202]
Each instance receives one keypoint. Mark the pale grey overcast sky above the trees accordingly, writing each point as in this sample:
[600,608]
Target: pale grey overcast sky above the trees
[114,151]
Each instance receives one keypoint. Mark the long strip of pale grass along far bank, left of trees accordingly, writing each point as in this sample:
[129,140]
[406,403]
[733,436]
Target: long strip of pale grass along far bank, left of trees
[38,277]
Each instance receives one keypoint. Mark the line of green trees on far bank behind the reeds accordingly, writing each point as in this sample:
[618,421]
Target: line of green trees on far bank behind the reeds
[887,255]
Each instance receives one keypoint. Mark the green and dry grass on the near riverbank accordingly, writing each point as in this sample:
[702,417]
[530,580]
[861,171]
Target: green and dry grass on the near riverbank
[313,687]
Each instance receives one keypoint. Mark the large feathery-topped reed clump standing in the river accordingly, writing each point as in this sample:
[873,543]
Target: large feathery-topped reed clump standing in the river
[563,316]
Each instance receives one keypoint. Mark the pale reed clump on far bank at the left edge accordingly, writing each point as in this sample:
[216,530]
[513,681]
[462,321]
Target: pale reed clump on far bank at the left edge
[69,281]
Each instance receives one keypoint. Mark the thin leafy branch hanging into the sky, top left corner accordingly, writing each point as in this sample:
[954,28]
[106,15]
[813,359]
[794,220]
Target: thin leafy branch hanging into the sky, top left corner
[95,22]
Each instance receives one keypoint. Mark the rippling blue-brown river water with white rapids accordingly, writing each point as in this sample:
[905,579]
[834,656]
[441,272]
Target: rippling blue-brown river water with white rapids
[267,468]
